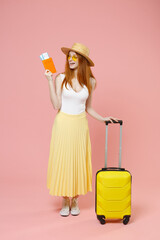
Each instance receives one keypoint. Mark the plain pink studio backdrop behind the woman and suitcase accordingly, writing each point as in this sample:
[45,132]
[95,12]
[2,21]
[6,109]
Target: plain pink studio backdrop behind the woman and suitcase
[123,37]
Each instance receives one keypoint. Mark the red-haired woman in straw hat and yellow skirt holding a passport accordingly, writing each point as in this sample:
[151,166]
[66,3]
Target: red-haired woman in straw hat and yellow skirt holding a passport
[69,167]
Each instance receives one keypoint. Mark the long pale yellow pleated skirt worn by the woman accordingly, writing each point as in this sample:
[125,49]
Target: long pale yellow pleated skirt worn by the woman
[69,166]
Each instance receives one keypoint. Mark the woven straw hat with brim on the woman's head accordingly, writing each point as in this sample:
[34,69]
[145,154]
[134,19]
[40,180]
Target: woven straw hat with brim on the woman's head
[81,49]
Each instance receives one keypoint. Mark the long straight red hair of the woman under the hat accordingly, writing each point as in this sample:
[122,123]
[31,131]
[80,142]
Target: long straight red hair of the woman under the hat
[84,73]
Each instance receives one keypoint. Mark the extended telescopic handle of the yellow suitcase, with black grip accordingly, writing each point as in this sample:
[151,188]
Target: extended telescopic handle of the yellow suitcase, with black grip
[120,144]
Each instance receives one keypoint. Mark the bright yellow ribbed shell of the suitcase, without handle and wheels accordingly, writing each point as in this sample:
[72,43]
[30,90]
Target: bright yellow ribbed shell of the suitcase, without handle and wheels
[113,193]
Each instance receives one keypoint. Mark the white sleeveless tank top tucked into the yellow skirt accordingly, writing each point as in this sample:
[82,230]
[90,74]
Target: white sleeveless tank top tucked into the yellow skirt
[73,102]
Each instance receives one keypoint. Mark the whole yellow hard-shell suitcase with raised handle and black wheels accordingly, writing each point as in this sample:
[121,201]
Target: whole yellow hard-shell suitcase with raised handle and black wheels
[113,189]
